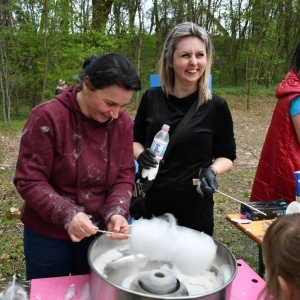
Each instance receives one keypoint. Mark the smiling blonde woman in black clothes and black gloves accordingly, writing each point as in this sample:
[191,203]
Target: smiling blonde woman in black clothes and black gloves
[206,147]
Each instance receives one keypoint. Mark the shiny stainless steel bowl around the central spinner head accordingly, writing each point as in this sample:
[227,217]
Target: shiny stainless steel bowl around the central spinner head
[110,287]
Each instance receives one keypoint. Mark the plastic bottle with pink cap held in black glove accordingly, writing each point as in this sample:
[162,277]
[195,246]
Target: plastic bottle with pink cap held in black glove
[159,146]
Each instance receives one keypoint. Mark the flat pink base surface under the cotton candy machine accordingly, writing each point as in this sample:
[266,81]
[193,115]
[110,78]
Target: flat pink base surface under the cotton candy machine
[246,286]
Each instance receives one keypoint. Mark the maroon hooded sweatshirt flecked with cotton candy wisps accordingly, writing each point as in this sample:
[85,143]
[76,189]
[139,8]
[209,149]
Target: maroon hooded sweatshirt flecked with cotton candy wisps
[68,163]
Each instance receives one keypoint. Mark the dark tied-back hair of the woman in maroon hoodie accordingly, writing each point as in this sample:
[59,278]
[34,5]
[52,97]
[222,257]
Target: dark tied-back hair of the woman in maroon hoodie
[109,69]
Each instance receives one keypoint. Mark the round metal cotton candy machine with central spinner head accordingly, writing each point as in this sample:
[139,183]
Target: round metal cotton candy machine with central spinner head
[133,277]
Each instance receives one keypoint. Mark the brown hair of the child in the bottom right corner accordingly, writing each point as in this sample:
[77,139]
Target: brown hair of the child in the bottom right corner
[281,248]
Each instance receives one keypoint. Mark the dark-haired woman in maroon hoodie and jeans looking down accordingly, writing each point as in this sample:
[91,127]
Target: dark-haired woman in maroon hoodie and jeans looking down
[75,170]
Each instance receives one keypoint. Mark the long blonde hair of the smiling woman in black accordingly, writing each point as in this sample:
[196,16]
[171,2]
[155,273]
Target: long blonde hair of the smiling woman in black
[167,77]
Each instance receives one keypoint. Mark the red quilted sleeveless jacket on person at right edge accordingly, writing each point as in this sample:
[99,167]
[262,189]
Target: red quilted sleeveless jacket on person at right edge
[280,156]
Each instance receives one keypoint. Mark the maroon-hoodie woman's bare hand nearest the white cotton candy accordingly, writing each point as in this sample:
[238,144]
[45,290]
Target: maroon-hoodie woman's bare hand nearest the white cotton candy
[118,224]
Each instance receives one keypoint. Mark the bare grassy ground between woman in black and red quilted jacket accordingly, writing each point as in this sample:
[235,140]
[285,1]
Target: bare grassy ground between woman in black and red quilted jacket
[250,128]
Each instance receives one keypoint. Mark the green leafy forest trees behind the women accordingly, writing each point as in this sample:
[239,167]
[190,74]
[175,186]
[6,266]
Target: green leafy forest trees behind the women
[44,40]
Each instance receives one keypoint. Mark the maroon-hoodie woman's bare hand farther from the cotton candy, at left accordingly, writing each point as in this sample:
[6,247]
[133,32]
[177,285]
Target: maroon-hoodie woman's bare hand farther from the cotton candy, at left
[80,227]
